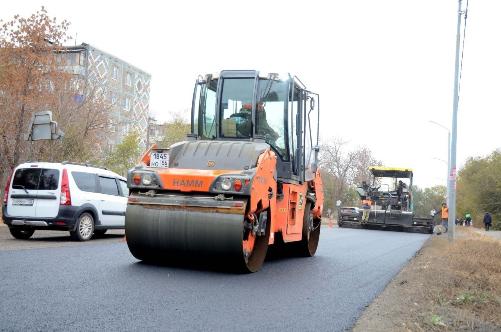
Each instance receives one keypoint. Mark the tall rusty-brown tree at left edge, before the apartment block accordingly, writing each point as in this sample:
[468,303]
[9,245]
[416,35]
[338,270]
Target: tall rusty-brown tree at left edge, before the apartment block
[29,69]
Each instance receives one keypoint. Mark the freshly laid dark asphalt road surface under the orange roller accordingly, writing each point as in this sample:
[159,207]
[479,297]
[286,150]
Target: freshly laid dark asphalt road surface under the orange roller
[100,286]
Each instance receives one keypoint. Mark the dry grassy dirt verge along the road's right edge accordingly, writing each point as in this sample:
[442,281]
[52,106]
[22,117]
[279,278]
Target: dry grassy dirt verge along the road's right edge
[444,288]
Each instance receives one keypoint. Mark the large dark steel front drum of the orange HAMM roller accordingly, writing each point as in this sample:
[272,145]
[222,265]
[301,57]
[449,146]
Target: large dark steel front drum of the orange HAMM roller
[158,233]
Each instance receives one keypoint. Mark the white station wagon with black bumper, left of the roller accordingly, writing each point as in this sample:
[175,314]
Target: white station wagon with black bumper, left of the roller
[83,200]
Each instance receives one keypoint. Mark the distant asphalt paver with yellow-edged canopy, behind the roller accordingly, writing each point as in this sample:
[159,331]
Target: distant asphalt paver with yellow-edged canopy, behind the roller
[389,196]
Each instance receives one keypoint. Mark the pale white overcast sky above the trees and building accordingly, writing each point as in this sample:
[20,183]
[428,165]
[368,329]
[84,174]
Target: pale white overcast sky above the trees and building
[383,69]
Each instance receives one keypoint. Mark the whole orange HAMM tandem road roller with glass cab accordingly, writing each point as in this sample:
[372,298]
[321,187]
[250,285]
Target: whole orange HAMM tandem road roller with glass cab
[245,178]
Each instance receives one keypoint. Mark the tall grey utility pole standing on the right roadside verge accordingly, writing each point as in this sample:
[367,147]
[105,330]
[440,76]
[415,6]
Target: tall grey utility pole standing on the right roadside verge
[455,102]
